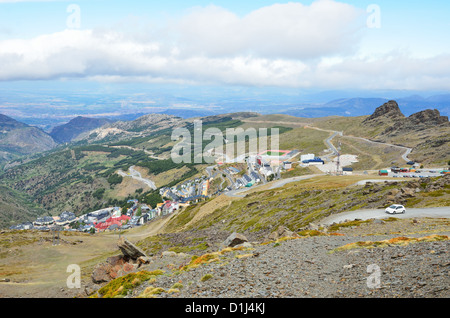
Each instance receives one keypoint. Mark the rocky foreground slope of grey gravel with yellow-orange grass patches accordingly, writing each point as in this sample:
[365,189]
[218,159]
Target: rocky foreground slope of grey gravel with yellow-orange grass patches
[382,263]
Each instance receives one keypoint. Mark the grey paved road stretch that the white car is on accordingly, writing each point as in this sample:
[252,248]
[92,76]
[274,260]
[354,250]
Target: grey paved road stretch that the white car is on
[443,212]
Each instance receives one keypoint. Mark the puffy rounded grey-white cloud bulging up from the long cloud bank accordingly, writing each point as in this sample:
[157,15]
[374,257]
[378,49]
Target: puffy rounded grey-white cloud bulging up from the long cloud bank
[290,30]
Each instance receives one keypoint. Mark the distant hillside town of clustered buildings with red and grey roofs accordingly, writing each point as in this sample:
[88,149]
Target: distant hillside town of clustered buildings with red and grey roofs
[257,169]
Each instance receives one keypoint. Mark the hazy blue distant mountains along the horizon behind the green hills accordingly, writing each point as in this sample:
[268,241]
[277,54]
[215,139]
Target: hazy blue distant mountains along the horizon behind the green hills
[17,138]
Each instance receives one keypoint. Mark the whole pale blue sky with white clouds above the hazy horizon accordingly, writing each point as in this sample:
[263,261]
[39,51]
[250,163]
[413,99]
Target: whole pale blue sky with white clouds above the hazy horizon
[321,44]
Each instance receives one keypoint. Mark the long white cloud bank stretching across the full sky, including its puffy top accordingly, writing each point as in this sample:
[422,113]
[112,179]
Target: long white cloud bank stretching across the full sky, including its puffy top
[279,45]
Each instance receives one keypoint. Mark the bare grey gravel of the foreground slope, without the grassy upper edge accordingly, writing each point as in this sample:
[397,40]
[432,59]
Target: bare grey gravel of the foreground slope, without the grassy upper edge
[305,268]
